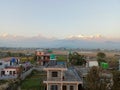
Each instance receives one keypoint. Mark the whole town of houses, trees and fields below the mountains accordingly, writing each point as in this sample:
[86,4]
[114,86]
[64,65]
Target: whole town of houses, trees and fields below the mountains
[59,69]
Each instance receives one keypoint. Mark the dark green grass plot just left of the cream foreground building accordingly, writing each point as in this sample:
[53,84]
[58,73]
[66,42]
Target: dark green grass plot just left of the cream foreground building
[34,81]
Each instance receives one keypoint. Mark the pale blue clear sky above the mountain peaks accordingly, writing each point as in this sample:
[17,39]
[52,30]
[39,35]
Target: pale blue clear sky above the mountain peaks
[60,18]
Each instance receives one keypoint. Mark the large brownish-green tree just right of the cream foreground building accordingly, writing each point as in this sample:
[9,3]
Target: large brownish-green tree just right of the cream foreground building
[94,81]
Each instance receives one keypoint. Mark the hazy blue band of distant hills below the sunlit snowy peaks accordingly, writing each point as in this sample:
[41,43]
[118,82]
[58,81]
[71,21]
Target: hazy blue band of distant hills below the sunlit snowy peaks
[56,43]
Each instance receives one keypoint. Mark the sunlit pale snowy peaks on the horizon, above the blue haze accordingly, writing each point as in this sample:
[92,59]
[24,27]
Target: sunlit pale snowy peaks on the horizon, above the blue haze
[98,37]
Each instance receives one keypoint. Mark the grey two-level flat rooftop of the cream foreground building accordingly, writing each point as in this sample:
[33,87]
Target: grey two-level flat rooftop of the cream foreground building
[69,74]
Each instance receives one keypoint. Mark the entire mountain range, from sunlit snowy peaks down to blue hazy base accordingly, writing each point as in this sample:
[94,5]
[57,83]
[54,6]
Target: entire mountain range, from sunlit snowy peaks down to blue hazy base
[79,41]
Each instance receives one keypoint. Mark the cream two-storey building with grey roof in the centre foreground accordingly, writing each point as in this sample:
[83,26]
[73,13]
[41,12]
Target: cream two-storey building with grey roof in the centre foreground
[59,77]
